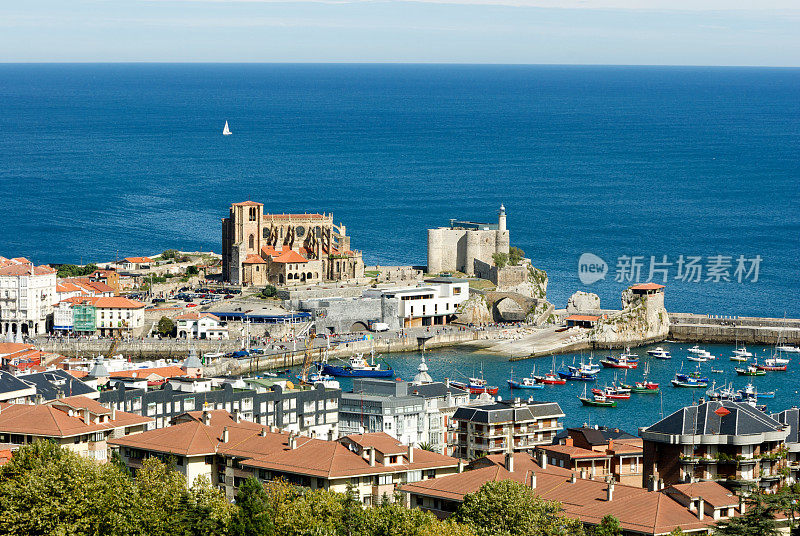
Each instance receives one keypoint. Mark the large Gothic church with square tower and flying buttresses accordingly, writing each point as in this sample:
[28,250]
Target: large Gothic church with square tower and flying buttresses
[285,249]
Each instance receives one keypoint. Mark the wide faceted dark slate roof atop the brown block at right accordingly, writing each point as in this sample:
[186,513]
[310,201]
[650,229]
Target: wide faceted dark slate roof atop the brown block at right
[742,420]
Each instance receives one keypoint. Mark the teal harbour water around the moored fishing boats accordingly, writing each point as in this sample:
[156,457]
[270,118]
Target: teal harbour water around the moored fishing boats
[639,411]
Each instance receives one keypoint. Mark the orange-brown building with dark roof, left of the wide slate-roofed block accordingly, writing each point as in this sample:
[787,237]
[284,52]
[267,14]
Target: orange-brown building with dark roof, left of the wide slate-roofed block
[598,453]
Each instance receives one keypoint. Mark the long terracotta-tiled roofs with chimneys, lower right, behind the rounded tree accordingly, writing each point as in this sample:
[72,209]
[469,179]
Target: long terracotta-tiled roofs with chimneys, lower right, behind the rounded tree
[693,508]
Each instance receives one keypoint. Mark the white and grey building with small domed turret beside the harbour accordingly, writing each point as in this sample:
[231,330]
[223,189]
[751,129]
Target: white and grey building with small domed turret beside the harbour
[408,411]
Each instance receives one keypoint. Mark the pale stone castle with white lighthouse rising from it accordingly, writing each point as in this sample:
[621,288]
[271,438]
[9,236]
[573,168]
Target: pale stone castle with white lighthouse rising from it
[457,247]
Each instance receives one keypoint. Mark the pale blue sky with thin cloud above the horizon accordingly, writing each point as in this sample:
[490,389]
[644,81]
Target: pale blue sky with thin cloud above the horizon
[629,32]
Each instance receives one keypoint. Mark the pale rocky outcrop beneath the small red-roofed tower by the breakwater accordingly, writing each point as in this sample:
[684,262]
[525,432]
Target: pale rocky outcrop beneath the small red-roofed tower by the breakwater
[643,318]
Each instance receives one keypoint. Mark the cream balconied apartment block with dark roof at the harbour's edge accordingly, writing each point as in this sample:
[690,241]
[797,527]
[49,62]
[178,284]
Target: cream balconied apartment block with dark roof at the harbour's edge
[505,426]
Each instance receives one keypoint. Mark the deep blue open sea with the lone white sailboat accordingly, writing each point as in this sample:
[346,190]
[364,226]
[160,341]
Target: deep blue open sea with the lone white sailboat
[100,161]
